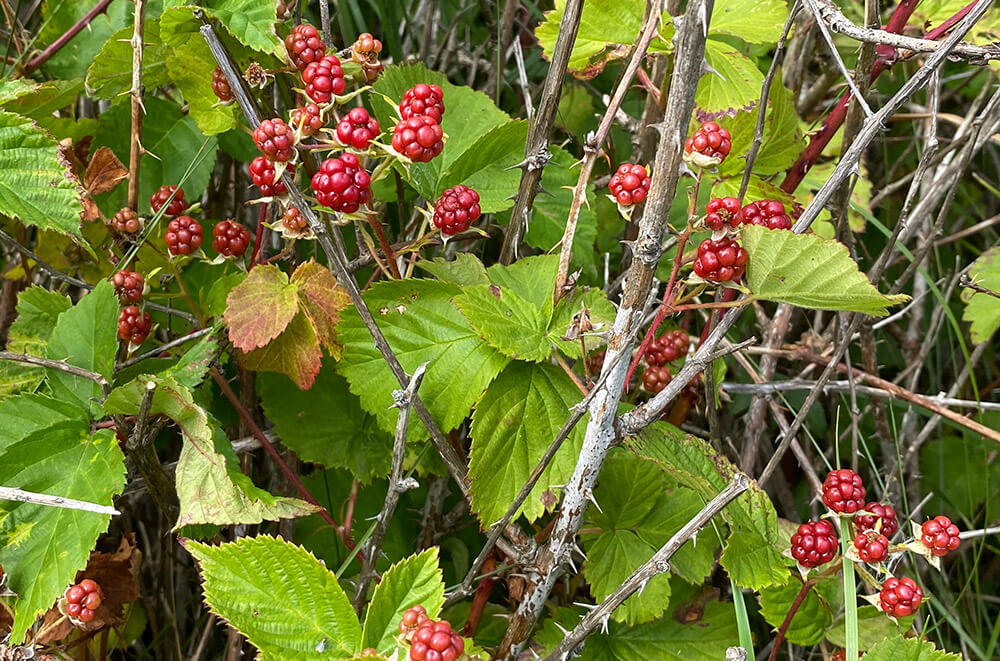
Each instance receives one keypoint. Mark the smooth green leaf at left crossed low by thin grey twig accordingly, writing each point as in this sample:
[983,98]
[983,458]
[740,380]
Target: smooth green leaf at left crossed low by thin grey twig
[85,336]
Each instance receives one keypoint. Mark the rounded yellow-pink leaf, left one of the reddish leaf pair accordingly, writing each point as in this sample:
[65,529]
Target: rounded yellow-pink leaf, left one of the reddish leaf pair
[260,307]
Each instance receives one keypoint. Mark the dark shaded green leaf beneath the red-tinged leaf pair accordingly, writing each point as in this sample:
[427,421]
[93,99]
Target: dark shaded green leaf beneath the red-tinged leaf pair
[326,424]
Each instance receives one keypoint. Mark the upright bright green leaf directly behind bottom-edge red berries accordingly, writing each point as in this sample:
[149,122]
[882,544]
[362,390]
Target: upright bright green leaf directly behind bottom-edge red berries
[414,580]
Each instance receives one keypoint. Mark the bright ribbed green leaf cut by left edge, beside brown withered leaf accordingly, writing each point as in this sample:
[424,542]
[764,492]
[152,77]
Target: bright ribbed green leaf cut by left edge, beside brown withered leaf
[36,185]
